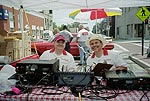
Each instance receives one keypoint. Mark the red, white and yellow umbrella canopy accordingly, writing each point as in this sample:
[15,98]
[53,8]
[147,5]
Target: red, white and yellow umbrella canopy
[93,14]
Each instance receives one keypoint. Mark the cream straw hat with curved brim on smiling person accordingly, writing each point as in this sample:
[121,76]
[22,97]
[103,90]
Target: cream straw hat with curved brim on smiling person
[93,37]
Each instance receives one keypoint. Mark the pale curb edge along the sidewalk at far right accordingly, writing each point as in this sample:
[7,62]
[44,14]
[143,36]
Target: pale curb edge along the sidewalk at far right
[139,62]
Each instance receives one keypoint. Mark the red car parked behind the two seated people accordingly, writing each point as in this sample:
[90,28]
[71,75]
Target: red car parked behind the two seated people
[41,46]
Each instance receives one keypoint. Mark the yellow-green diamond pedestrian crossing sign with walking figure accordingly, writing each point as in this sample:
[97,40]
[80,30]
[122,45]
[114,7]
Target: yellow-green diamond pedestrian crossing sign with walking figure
[143,13]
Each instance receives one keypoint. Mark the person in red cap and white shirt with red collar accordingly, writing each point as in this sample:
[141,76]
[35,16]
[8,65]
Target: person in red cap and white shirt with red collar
[66,60]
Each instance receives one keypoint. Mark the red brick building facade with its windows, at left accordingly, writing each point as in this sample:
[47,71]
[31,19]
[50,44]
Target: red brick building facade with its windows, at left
[12,24]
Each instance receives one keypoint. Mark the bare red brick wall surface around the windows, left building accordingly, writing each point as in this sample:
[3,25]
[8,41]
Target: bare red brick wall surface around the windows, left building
[33,20]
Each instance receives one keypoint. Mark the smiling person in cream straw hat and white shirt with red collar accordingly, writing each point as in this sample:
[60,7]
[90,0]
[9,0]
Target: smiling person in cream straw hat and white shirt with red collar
[96,42]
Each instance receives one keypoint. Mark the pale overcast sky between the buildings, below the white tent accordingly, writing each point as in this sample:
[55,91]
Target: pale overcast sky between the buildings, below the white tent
[62,17]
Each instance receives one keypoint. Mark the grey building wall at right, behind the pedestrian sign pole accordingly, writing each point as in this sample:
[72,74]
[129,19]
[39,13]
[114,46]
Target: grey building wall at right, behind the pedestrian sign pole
[127,24]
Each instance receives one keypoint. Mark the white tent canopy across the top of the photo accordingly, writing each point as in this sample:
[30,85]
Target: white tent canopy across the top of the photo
[73,4]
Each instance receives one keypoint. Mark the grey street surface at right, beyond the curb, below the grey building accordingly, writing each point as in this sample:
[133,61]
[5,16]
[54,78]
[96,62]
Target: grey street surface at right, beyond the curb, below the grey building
[134,48]
